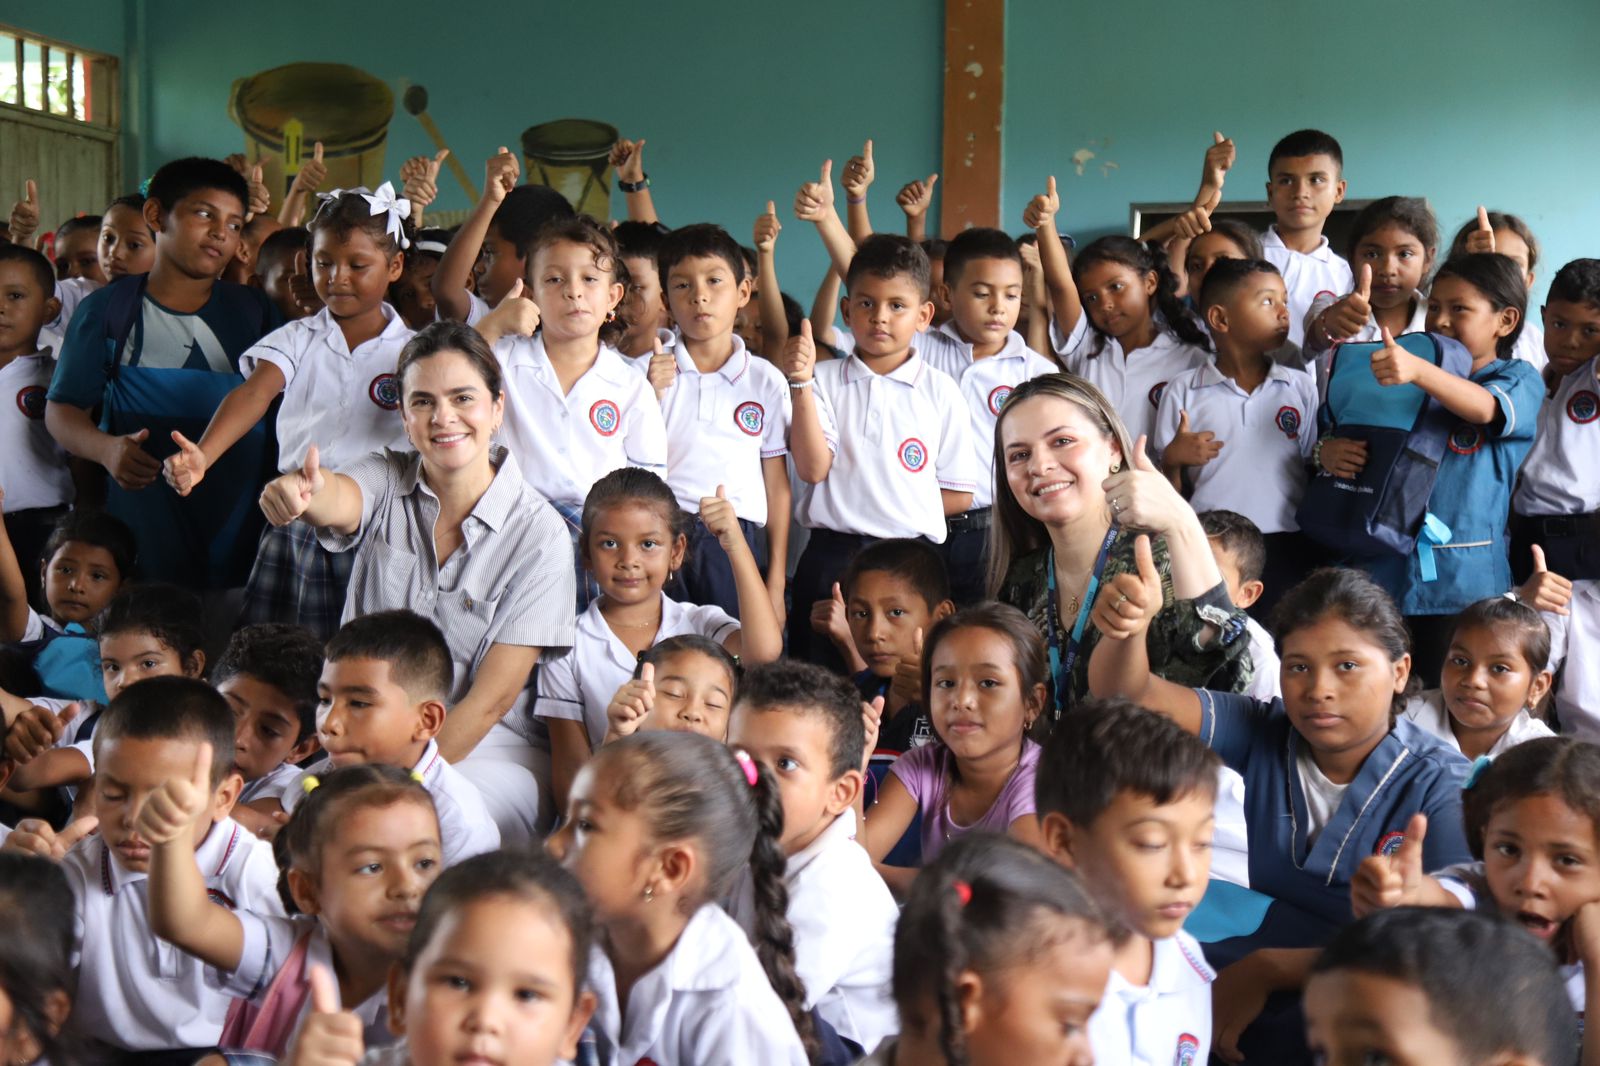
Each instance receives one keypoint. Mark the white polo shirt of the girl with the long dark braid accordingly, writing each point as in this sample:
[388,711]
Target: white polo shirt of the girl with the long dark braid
[706,1004]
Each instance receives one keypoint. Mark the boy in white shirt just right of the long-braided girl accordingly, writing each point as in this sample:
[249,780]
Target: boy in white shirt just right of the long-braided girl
[806,727]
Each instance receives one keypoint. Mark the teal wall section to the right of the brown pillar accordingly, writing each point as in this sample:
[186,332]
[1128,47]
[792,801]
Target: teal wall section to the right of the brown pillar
[1463,102]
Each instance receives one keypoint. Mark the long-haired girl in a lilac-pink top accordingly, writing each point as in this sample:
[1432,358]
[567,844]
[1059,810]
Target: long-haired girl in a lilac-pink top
[985,673]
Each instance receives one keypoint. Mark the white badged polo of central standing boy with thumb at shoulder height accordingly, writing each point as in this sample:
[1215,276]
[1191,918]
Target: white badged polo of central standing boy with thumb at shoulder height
[898,439]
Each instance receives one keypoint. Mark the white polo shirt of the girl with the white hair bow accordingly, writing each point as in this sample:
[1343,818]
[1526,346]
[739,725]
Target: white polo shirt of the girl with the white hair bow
[345,403]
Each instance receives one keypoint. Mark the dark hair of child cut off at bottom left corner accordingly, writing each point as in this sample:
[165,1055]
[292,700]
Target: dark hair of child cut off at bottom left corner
[36,963]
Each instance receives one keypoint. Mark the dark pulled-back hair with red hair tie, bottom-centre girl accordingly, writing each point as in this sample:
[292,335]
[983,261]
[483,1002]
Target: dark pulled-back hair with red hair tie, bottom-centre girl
[986,904]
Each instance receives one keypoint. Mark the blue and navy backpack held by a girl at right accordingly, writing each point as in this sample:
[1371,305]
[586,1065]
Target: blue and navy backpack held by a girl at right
[1383,510]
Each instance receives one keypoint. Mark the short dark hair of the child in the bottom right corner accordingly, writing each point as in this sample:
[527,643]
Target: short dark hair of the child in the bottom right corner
[1521,1009]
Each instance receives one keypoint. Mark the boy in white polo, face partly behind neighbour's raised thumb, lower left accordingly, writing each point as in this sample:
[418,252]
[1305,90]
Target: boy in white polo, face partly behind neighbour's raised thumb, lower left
[135,993]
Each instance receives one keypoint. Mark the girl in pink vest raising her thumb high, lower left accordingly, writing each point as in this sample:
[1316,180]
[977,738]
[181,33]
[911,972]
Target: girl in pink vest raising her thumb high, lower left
[358,857]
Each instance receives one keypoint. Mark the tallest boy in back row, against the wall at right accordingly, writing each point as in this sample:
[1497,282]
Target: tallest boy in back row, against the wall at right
[1305,183]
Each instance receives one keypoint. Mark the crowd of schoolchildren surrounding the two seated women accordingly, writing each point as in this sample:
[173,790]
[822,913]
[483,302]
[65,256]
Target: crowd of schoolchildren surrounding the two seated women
[815,796]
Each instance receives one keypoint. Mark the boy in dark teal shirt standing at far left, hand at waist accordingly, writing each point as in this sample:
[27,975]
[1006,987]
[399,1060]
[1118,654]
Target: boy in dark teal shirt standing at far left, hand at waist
[158,355]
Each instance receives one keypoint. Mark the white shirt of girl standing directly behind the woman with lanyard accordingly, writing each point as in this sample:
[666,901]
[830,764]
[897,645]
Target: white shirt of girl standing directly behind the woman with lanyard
[1132,383]
